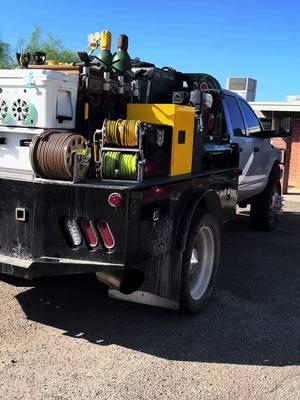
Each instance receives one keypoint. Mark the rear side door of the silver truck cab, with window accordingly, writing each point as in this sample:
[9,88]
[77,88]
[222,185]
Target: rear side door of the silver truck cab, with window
[239,134]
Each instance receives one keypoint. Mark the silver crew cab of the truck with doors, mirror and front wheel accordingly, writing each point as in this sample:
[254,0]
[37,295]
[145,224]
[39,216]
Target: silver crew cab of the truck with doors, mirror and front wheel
[259,182]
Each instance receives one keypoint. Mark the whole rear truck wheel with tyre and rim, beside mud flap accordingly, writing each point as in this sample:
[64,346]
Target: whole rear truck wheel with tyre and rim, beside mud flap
[200,262]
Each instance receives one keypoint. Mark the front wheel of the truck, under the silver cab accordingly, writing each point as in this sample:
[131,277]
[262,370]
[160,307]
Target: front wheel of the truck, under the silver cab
[265,208]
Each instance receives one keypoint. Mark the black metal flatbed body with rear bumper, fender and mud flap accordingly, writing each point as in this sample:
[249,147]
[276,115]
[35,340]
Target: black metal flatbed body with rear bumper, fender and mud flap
[150,228]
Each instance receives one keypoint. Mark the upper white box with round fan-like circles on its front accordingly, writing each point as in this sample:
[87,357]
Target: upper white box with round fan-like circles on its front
[37,98]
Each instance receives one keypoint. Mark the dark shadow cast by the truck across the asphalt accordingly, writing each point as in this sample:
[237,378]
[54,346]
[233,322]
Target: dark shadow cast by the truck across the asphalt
[254,318]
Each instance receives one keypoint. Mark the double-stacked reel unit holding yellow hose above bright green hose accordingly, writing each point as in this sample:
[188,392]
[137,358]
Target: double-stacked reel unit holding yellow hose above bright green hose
[132,150]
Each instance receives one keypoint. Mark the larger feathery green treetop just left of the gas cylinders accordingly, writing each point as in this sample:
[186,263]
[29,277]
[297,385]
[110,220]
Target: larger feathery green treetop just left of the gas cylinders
[52,46]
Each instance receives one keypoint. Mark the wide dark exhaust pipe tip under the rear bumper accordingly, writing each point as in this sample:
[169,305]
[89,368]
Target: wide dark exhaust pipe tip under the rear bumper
[126,282]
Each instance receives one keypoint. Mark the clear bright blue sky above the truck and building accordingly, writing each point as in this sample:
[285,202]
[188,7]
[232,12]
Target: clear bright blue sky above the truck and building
[258,39]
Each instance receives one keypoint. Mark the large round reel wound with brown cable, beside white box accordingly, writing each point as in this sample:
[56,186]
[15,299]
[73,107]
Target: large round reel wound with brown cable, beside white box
[52,154]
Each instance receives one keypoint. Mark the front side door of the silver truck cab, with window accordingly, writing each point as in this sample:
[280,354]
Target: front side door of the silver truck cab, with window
[262,149]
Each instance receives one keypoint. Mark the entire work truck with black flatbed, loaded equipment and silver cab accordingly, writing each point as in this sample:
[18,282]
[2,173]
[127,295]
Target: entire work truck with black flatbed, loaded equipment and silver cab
[130,176]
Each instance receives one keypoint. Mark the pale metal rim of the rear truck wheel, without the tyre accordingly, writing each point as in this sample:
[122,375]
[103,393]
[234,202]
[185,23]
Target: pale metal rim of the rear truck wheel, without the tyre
[201,263]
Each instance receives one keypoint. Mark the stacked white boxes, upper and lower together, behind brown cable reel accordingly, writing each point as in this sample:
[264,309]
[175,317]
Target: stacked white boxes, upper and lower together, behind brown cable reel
[32,100]
